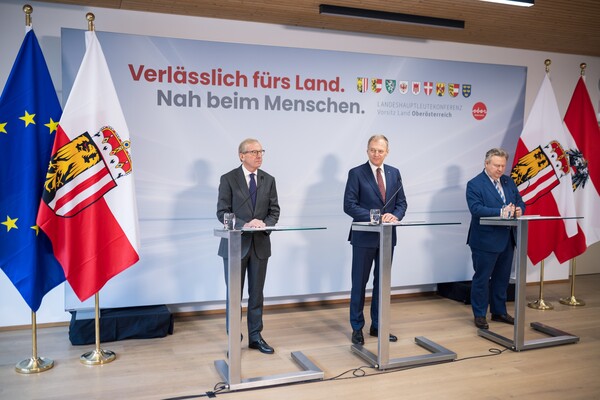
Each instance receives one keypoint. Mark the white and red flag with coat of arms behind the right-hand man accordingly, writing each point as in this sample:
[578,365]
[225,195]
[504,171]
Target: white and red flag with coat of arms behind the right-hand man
[542,174]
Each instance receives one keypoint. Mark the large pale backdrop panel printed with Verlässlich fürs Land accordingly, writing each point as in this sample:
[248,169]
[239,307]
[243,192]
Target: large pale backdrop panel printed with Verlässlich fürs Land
[181,148]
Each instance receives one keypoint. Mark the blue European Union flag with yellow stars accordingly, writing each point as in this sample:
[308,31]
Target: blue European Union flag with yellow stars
[29,115]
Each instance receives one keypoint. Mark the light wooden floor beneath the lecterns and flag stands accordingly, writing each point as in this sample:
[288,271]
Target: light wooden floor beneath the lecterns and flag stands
[181,365]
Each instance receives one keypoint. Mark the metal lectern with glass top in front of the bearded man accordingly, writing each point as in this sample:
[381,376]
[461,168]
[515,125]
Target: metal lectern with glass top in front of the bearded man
[518,343]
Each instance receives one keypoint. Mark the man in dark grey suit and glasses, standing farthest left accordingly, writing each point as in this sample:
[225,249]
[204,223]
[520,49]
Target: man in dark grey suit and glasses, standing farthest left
[251,194]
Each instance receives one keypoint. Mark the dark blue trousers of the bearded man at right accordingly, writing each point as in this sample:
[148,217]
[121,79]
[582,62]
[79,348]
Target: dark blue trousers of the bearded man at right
[490,280]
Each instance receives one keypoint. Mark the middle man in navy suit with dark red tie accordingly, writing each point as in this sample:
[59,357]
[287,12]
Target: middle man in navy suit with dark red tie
[372,185]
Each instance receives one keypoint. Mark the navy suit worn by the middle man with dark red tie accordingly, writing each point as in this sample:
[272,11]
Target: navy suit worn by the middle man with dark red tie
[362,195]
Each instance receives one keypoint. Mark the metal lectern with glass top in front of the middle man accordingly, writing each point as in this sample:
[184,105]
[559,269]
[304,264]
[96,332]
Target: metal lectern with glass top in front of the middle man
[381,360]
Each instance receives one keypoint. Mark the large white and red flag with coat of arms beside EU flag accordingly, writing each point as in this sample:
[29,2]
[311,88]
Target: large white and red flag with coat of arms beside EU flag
[88,207]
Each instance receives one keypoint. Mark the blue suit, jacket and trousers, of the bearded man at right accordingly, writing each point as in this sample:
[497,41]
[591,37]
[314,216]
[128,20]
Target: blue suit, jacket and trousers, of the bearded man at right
[492,247]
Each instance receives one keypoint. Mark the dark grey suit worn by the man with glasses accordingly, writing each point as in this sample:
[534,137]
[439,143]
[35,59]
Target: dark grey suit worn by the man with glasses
[234,197]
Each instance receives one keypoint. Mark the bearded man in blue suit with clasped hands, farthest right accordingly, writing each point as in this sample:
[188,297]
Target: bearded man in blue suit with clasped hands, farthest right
[492,194]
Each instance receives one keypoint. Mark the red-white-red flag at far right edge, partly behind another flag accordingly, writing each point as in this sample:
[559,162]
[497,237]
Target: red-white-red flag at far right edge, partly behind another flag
[580,121]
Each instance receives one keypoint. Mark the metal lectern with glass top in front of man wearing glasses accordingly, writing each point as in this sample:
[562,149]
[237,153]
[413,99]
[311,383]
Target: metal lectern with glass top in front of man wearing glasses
[231,371]
